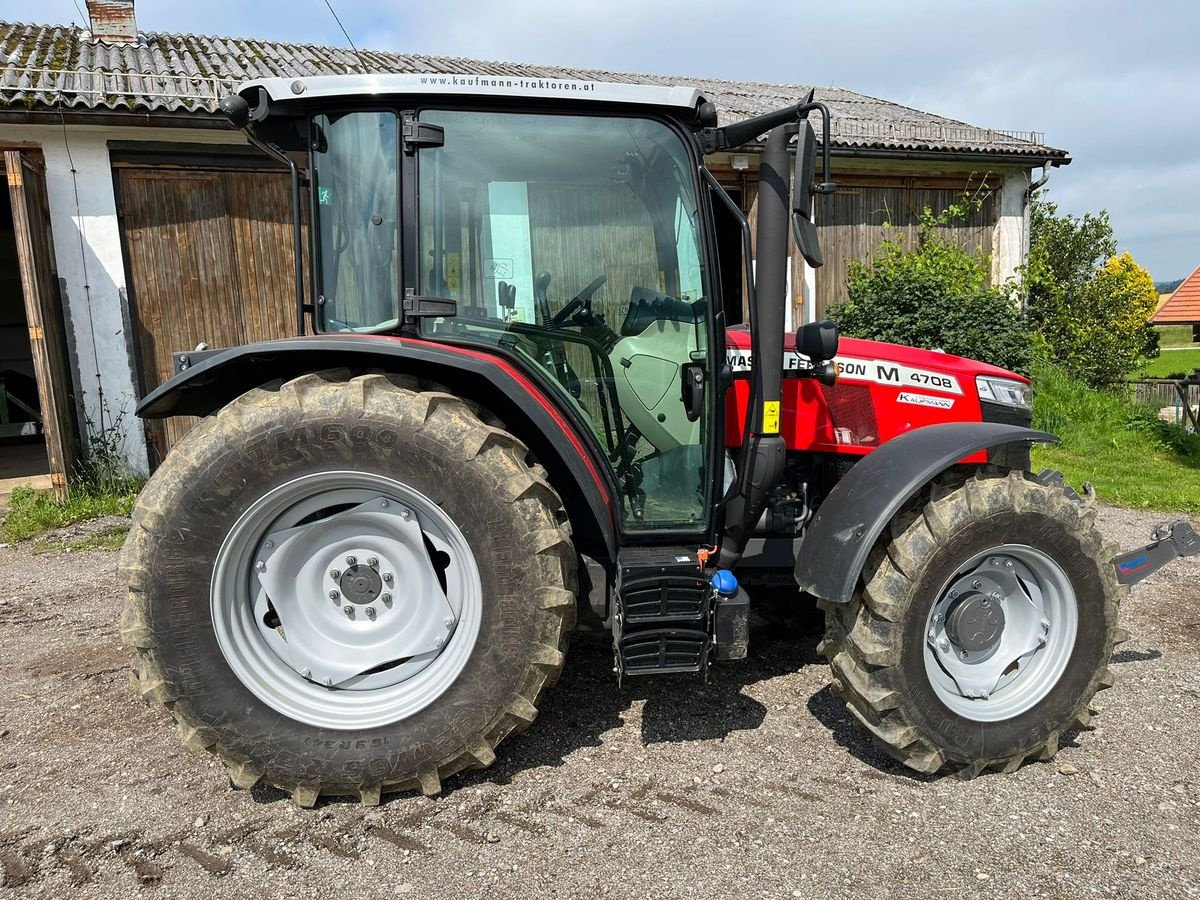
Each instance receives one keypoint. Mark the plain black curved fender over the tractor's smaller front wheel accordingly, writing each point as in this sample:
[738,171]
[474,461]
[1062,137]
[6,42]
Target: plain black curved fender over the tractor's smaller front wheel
[860,507]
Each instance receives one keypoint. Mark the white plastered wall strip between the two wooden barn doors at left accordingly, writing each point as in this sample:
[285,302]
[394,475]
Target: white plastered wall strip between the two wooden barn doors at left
[88,253]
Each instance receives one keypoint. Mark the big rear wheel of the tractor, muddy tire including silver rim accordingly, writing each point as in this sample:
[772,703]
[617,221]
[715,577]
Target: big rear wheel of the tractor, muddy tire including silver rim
[317,681]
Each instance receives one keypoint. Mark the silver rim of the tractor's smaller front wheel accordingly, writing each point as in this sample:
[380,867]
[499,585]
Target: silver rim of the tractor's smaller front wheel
[1019,669]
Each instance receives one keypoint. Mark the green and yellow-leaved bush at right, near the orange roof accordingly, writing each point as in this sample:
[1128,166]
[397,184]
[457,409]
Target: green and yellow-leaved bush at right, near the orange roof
[1093,317]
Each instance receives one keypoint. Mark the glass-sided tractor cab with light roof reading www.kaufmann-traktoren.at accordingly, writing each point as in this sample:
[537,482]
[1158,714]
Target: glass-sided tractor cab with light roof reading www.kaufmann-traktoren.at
[561,225]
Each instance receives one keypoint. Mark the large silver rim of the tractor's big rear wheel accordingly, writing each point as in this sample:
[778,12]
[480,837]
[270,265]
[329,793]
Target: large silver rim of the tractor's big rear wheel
[309,620]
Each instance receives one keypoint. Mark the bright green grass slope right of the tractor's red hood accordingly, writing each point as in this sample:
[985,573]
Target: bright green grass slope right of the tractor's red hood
[1131,458]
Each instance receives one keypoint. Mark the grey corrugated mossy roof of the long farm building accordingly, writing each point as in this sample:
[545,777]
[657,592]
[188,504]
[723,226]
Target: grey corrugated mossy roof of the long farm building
[59,67]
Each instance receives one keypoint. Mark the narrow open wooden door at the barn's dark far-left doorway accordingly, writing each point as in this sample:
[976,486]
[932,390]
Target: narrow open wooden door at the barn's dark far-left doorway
[44,311]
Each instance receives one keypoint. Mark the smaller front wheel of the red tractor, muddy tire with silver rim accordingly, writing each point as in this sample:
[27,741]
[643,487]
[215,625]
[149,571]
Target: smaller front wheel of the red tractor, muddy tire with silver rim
[950,662]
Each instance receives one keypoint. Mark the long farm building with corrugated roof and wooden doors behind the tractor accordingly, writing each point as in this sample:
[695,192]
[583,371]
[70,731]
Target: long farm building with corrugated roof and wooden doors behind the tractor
[137,223]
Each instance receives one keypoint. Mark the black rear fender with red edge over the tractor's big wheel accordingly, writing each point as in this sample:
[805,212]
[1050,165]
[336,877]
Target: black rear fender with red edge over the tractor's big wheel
[529,412]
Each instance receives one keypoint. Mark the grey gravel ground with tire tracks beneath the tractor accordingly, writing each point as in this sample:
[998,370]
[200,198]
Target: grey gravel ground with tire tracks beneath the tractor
[754,785]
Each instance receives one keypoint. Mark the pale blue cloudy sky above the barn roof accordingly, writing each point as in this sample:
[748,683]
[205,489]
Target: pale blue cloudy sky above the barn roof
[1117,85]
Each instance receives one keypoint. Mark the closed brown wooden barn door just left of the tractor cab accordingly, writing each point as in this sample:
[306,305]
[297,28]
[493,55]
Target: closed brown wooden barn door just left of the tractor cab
[209,260]
